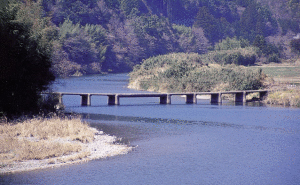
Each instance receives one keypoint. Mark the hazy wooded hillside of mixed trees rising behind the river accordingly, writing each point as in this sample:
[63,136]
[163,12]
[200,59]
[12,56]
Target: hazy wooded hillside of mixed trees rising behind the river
[110,36]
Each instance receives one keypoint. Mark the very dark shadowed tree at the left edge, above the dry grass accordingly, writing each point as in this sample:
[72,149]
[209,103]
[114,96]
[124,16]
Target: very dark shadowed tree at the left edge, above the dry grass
[24,67]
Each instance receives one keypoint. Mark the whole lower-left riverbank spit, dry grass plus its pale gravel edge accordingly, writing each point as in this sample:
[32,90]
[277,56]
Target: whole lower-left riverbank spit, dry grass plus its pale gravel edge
[47,143]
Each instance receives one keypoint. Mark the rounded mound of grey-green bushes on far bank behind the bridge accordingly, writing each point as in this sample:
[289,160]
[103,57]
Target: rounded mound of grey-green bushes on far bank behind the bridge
[180,72]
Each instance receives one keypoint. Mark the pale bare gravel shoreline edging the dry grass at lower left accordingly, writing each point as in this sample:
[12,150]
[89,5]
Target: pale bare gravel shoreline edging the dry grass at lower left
[103,146]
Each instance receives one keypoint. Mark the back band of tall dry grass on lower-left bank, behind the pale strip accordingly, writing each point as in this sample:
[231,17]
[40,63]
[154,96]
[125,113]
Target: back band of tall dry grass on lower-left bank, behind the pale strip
[43,129]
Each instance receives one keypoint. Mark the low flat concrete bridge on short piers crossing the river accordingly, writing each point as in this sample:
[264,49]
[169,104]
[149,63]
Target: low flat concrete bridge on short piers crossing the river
[164,98]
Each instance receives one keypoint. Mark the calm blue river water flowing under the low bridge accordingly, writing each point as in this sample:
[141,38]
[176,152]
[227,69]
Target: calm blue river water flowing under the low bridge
[178,143]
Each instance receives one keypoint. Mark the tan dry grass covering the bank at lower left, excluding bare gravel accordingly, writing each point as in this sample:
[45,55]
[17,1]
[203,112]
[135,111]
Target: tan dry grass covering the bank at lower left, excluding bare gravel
[43,139]
